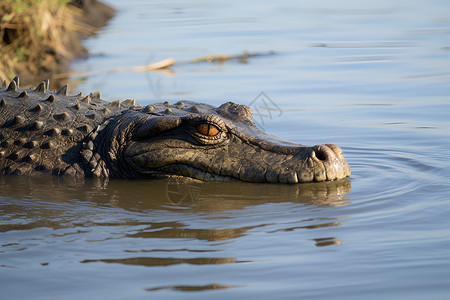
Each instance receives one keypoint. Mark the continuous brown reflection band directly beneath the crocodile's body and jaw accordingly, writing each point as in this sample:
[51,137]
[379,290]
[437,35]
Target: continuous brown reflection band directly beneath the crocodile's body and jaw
[174,194]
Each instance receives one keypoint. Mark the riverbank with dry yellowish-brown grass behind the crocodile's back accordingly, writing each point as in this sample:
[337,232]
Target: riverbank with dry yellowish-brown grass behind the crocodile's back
[40,38]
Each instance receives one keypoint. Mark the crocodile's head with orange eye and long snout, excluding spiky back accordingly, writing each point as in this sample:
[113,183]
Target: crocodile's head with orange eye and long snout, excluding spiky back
[214,144]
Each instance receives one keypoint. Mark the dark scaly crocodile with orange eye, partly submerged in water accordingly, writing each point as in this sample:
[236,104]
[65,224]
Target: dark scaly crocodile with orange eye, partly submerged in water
[44,132]
